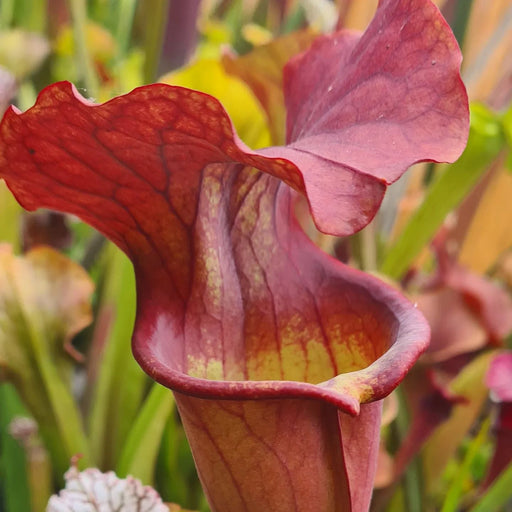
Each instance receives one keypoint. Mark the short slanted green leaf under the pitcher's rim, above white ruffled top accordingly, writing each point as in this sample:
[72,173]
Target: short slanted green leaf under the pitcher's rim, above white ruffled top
[141,448]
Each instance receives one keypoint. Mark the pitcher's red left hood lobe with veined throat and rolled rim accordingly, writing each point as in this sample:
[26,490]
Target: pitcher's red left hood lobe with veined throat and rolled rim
[230,289]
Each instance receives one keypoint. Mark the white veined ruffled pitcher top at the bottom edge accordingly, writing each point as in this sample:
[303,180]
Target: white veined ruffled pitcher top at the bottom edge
[94,491]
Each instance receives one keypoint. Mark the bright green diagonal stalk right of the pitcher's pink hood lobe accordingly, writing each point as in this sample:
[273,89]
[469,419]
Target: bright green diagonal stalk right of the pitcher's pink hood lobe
[486,140]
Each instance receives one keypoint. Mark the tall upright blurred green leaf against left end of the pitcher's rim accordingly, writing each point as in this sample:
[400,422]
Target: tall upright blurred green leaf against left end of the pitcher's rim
[121,383]
